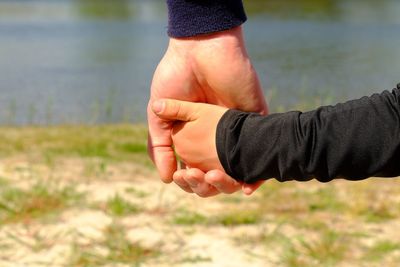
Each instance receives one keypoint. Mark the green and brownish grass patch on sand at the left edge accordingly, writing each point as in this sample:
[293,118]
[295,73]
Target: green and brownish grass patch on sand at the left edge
[18,205]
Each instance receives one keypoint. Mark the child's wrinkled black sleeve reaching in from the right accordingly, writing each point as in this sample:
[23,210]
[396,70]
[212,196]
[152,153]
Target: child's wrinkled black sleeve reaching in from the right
[354,140]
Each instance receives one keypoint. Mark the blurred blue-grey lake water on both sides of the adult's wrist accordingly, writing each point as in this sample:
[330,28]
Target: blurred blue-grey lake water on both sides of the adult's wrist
[92,61]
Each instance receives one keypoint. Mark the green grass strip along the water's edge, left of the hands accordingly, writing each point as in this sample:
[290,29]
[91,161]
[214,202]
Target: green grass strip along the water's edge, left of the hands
[116,142]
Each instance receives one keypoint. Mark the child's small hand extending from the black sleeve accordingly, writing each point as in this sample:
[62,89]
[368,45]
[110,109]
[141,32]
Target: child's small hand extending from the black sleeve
[194,131]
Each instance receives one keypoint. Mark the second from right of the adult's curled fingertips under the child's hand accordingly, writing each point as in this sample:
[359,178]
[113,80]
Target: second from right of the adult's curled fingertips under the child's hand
[222,182]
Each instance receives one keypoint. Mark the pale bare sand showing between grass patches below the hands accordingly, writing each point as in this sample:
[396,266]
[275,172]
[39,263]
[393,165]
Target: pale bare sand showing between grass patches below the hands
[60,239]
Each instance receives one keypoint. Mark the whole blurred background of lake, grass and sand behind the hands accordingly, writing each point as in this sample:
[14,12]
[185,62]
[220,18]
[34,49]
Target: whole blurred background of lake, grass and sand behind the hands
[77,187]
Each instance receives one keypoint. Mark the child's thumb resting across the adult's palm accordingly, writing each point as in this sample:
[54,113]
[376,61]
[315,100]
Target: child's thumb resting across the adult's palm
[170,109]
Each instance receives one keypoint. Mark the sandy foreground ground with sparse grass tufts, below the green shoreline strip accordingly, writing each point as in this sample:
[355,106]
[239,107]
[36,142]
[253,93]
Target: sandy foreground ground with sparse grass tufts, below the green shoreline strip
[91,212]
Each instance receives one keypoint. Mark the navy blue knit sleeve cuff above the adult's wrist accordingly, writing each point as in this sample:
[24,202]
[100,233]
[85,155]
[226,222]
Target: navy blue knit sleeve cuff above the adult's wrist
[187,18]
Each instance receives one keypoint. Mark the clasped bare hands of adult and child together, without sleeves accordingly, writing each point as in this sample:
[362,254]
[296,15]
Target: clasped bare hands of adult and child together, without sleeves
[213,69]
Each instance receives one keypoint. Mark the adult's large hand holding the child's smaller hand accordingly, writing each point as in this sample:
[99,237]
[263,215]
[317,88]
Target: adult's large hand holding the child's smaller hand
[212,69]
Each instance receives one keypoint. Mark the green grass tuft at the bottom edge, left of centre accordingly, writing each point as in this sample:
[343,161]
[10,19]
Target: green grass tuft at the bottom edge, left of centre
[113,250]
